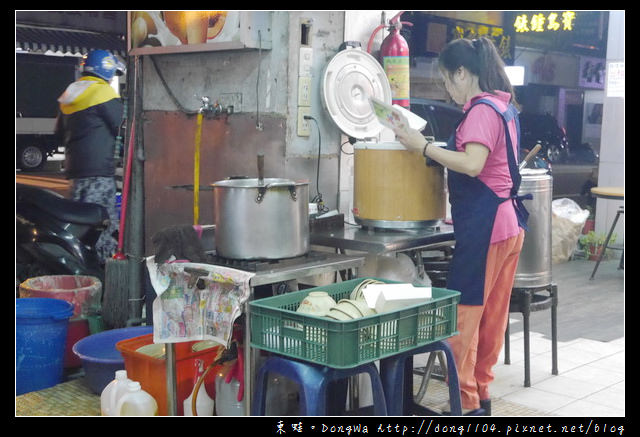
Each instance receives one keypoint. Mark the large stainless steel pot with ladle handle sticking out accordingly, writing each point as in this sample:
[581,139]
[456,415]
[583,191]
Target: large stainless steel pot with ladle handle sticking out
[261,218]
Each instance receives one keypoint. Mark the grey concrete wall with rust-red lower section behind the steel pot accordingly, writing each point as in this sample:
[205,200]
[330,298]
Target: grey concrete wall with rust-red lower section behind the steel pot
[266,83]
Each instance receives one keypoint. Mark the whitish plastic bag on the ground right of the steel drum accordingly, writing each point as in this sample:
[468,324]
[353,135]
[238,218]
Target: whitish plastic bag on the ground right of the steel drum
[567,221]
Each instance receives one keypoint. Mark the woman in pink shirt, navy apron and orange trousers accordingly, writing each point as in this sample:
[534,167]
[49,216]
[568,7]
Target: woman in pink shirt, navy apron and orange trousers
[488,216]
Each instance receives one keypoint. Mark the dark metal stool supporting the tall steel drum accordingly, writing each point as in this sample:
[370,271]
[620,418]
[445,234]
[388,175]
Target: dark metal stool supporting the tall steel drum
[526,301]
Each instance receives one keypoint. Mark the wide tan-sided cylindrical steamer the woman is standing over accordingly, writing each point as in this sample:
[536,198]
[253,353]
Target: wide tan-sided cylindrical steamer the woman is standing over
[393,188]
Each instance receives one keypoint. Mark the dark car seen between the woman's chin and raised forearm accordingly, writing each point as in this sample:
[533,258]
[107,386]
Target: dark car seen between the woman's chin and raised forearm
[441,117]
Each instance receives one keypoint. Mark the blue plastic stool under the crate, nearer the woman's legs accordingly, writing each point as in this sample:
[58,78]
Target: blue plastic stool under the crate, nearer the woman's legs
[396,373]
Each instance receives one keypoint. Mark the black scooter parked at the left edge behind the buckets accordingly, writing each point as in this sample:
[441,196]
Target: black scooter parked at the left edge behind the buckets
[56,236]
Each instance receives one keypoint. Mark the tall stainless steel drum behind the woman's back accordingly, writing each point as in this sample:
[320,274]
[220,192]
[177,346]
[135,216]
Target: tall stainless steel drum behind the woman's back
[534,267]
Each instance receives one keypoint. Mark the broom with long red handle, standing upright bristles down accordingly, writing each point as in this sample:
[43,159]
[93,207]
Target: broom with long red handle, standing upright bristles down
[116,297]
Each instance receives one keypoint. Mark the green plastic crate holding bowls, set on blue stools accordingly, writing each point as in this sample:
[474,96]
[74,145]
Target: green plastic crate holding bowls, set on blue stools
[276,327]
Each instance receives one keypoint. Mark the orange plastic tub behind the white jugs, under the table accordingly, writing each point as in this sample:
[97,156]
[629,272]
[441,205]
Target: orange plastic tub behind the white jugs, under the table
[151,372]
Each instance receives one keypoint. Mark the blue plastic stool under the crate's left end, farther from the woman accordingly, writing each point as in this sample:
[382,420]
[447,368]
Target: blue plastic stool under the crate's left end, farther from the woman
[314,382]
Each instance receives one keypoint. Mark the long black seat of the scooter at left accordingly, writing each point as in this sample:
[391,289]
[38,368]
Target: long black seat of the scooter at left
[71,211]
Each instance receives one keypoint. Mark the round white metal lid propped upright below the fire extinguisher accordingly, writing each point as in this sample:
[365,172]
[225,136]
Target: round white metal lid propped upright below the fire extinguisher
[349,79]
